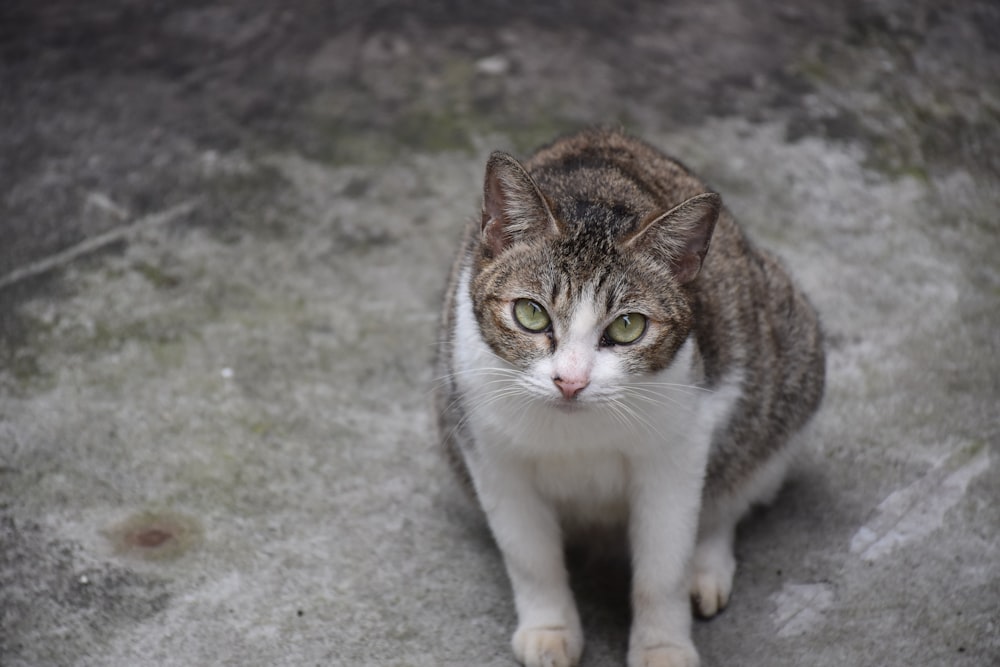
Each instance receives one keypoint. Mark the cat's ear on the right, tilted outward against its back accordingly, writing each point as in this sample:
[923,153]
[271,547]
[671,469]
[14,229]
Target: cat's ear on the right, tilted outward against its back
[681,236]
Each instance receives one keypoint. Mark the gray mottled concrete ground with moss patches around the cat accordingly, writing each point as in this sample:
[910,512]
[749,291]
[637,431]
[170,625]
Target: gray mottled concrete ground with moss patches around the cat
[225,231]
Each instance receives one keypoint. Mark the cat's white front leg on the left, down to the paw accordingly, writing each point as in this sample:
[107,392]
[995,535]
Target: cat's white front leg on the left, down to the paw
[527,531]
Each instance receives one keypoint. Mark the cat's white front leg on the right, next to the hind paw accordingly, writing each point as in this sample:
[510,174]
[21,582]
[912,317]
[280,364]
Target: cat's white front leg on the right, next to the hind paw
[663,524]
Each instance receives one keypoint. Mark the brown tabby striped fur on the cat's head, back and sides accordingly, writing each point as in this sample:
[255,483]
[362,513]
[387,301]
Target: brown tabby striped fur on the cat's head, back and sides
[601,188]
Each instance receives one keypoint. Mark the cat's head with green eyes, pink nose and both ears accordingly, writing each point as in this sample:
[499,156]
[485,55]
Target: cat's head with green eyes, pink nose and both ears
[584,295]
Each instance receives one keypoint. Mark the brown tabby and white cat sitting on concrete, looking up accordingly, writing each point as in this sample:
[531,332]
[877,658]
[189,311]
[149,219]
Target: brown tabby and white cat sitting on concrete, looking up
[616,351]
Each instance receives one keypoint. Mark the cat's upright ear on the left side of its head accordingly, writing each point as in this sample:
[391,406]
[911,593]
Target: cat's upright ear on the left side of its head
[514,209]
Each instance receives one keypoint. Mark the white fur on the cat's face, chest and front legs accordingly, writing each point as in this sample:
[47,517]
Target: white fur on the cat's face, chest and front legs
[625,451]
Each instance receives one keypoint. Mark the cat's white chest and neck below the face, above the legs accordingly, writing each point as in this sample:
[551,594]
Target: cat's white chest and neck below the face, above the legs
[582,459]
